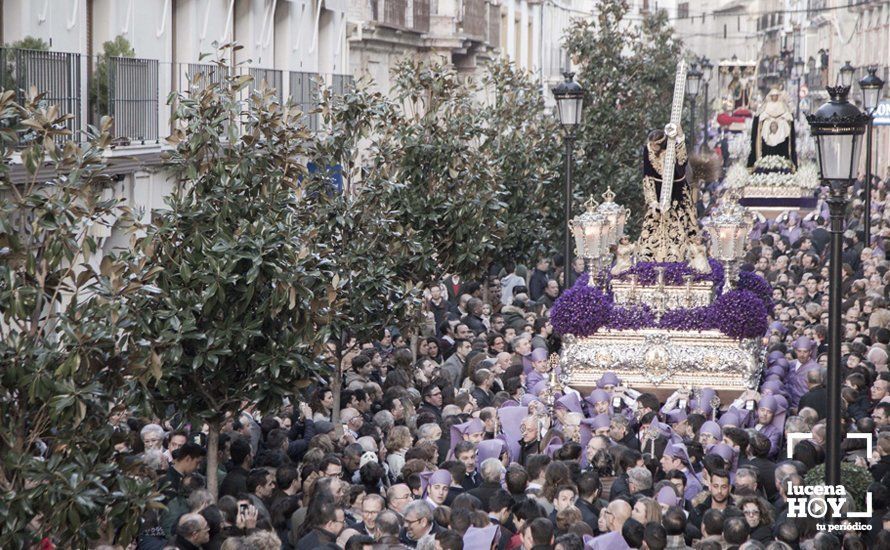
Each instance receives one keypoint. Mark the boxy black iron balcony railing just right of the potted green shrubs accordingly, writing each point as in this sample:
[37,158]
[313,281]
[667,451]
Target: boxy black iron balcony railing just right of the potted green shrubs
[133,98]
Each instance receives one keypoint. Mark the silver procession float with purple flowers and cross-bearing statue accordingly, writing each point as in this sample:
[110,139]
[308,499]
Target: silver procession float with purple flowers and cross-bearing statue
[667,311]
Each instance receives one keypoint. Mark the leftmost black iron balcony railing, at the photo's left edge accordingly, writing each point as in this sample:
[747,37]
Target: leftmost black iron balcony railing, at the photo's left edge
[55,74]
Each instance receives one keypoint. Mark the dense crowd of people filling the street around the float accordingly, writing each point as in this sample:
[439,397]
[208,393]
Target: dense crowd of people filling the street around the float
[463,441]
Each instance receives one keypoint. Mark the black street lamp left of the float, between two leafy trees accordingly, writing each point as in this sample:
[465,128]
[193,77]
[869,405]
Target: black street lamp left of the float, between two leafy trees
[569,96]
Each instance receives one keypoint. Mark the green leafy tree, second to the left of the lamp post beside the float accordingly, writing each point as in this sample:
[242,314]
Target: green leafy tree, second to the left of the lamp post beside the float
[450,194]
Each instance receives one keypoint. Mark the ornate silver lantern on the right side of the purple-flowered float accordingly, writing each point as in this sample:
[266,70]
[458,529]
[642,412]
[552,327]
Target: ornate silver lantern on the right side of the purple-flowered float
[728,228]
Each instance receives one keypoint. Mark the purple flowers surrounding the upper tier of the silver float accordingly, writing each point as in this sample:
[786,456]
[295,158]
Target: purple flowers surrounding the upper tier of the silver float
[740,313]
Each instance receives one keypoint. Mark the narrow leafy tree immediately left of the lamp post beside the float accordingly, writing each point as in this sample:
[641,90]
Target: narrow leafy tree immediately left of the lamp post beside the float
[521,141]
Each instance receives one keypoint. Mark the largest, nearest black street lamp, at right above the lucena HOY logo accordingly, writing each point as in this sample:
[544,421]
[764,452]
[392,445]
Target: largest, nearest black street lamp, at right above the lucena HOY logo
[837,127]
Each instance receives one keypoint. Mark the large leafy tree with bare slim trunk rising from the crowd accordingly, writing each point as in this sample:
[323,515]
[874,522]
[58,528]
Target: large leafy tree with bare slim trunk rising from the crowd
[243,298]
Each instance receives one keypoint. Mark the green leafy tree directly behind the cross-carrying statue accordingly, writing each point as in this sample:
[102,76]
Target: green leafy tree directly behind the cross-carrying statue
[628,72]
